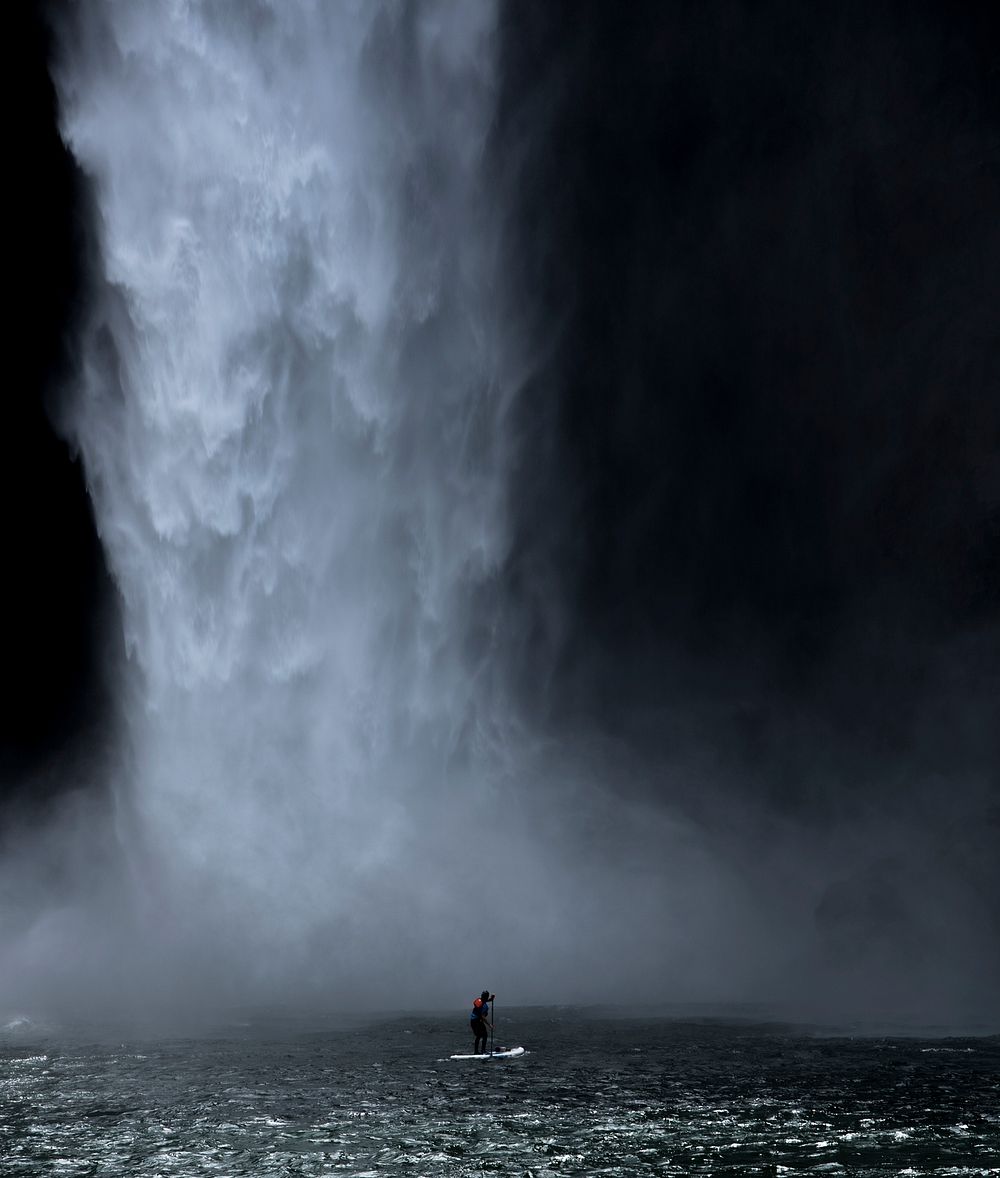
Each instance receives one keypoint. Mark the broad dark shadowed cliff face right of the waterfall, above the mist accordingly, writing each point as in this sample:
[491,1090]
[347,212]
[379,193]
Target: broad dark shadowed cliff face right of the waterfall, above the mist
[760,254]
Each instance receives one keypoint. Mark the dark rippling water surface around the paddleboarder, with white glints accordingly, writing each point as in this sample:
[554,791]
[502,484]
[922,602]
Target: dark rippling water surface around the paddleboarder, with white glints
[594,1096]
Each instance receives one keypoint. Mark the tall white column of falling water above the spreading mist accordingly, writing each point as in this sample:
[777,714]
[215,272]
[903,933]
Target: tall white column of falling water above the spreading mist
[292,420]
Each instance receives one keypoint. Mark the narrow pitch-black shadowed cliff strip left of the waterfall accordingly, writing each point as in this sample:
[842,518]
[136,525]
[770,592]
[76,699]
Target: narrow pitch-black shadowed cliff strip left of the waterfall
[57,600]
